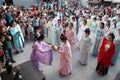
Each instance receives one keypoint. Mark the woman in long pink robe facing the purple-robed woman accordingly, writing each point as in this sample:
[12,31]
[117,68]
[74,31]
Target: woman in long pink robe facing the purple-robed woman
[64,50]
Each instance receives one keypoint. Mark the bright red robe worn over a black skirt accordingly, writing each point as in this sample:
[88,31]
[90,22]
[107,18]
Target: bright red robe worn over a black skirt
[105,57]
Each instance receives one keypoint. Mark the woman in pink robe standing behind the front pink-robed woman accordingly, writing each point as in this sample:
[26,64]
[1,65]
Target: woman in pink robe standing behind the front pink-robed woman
[70,34]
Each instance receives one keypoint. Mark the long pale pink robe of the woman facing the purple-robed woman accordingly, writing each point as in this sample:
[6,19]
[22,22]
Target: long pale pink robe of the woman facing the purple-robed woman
[65,59]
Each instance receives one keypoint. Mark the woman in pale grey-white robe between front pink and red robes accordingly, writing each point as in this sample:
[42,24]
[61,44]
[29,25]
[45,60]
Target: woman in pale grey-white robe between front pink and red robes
[85,47]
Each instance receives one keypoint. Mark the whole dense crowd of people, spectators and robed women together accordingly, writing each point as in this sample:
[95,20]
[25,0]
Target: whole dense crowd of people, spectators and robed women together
[98,27]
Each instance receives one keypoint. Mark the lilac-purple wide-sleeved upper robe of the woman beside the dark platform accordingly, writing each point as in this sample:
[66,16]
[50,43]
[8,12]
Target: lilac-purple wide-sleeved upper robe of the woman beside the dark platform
[42,52]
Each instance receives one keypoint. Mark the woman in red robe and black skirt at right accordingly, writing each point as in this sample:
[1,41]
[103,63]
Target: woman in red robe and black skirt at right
[107,51]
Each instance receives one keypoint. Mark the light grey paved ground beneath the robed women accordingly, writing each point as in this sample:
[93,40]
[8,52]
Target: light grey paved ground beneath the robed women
[79,72]
